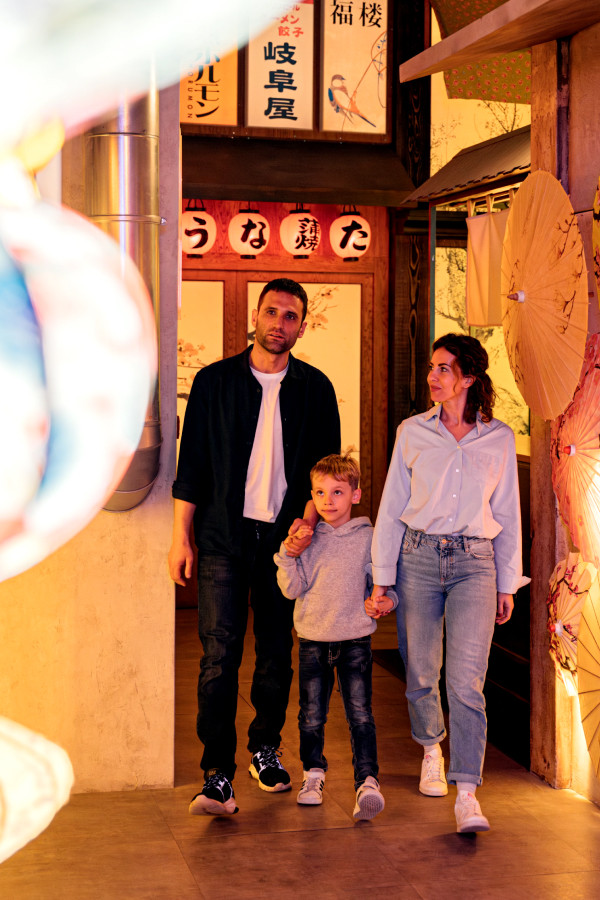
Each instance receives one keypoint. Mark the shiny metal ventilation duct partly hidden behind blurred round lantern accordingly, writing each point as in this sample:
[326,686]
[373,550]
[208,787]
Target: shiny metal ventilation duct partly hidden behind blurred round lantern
[121,197]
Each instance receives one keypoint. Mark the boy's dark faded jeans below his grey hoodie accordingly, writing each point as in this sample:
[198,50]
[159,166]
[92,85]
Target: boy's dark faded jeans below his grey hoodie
[354,664]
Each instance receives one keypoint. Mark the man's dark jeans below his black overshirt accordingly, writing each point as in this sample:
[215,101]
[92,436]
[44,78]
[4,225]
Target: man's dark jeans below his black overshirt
[223,587]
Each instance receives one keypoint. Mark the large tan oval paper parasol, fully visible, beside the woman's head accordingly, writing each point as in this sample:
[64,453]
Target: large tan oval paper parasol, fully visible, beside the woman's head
[544,295]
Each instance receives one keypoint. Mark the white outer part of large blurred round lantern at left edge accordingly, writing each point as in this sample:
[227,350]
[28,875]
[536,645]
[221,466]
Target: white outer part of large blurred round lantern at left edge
[100,359]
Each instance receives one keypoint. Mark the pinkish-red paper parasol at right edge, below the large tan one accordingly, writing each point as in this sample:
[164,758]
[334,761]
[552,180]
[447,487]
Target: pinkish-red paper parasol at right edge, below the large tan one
[575,453]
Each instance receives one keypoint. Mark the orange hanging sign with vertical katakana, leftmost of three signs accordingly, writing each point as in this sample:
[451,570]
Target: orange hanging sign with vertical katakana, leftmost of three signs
[208,91]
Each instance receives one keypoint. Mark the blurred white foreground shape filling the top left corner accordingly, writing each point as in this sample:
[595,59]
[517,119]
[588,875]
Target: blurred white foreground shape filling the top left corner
[78,59]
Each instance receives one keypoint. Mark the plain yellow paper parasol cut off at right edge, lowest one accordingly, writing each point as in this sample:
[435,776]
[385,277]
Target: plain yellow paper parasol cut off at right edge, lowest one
[588,678]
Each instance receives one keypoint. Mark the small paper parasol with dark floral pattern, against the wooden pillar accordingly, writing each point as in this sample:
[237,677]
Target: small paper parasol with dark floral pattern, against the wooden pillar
[570,583]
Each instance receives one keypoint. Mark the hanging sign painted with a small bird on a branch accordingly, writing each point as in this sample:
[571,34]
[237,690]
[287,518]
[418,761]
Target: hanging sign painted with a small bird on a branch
[354,68]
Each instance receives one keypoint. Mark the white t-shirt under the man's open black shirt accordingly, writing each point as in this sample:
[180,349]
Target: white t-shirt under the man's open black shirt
[265,479]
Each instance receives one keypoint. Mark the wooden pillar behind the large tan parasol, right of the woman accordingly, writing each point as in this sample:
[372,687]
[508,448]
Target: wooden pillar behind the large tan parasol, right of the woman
[550,743]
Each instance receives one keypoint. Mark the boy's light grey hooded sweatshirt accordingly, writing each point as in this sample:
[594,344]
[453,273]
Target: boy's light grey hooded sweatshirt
[330,581]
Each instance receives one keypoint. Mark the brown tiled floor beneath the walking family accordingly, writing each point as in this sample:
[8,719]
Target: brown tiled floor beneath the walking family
[544,844]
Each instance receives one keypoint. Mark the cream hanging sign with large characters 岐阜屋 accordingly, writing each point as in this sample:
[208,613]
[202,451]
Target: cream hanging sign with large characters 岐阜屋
[279,80]
